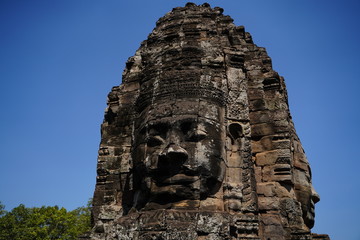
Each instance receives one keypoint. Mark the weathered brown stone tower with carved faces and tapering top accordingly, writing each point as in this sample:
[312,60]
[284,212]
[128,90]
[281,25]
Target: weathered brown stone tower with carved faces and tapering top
[198,141]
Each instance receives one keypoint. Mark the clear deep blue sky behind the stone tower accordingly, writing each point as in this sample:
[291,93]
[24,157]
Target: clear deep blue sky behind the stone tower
[60,58]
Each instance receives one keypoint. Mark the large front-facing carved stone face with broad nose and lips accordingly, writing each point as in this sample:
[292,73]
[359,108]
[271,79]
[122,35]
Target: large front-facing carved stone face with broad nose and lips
[179,157]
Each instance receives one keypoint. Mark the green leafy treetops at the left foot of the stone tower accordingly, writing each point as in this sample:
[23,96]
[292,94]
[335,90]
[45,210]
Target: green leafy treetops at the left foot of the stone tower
[44,223]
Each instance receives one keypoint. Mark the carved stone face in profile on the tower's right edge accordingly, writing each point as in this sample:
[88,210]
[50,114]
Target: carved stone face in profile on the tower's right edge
[306,195]
